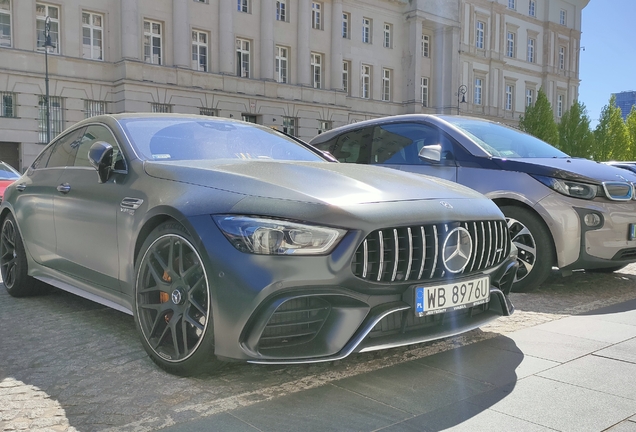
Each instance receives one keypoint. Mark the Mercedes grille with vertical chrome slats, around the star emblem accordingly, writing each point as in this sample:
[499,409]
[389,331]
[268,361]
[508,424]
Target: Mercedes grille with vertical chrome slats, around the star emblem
[416,253]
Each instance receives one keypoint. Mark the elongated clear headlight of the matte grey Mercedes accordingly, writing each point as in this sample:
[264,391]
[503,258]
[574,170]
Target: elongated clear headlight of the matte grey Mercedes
[277,237]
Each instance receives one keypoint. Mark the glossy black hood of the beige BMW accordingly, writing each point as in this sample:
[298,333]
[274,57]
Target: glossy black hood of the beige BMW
[575,169]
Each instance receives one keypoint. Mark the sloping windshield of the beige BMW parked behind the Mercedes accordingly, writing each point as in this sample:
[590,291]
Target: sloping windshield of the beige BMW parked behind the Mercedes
[502,141]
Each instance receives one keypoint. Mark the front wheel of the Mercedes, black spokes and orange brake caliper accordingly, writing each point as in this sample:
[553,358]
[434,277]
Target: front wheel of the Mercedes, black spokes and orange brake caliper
[173,311]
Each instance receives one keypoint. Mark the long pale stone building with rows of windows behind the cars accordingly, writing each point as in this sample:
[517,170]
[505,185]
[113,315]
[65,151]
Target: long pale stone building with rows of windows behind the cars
[297,65]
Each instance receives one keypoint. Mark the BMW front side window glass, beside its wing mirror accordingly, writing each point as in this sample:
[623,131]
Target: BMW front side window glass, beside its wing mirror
[400,143]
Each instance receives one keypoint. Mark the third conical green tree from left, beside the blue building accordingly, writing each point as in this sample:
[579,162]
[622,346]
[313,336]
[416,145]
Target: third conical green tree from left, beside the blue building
[612,139]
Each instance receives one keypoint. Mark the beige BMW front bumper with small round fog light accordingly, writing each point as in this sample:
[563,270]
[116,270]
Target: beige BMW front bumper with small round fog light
[581,247]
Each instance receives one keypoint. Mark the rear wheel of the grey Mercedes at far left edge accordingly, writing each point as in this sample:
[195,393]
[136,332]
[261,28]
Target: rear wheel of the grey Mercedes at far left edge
[13,263]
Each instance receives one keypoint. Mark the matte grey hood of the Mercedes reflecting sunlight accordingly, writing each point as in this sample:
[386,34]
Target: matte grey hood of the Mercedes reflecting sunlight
[332,183]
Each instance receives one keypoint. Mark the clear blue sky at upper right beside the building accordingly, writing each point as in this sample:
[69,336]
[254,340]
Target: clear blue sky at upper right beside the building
[608,64]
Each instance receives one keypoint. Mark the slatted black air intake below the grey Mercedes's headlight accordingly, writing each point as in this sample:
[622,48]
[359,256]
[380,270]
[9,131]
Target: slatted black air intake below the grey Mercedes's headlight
[295,322]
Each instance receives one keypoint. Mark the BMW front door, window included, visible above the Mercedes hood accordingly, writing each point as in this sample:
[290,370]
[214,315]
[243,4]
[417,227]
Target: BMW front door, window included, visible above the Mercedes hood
[398,145]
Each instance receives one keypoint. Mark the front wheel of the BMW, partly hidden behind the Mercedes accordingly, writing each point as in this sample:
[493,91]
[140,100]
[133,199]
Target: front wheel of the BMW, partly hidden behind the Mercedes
[534,243]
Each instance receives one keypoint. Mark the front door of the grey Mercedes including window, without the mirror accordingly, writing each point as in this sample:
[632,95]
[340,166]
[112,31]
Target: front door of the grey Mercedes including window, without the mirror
[86,214]
